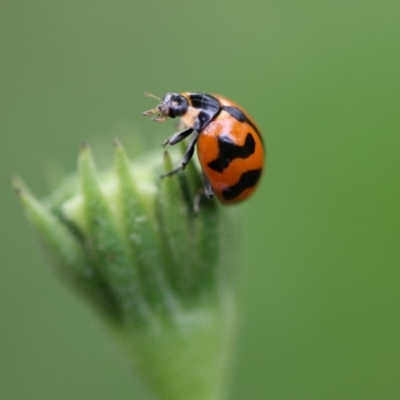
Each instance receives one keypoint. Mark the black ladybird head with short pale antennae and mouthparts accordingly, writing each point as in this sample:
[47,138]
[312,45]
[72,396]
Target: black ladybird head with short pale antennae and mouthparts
[171,105]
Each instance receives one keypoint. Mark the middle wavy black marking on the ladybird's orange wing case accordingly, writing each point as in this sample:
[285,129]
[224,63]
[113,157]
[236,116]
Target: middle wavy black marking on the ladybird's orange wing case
[229,151]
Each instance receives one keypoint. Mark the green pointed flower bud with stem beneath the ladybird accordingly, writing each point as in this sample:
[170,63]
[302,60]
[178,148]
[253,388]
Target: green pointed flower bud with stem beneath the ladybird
[157,272]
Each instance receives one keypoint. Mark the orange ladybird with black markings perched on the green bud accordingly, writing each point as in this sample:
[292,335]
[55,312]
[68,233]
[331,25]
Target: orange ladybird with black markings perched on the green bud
[229,144]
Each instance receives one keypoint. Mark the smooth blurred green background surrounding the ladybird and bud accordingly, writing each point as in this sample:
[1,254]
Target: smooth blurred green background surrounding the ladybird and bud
[321,278]
